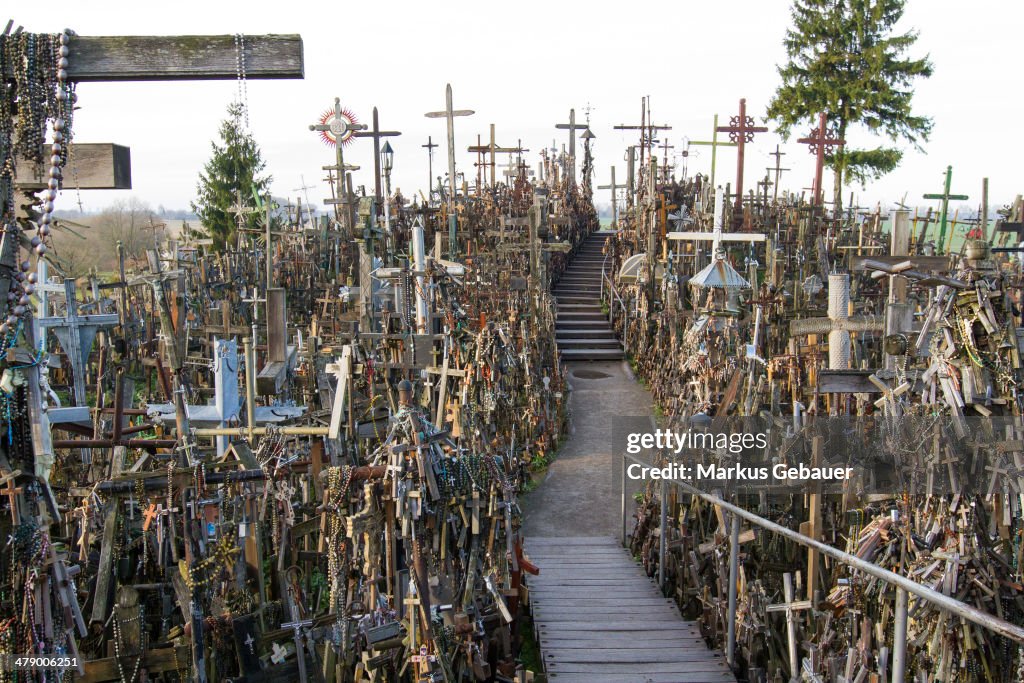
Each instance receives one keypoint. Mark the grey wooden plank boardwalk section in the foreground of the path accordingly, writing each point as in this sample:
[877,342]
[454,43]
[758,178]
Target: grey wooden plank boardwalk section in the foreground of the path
[601,620]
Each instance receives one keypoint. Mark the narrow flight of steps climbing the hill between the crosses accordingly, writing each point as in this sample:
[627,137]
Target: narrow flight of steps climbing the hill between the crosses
[582,331]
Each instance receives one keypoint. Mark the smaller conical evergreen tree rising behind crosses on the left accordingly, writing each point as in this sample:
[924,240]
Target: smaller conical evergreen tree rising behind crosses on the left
[234,168]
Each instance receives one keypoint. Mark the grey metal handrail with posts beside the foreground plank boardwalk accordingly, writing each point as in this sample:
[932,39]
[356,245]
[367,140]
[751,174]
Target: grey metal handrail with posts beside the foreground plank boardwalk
[904,585]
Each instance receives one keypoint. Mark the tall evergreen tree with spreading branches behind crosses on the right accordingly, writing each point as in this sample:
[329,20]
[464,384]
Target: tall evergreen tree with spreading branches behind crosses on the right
[845,60]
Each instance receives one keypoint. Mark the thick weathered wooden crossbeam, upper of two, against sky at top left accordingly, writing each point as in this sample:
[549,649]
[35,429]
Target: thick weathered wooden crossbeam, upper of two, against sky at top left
[109,59]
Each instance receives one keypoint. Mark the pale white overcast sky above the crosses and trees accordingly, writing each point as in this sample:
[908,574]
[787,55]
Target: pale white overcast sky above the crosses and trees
[522,66]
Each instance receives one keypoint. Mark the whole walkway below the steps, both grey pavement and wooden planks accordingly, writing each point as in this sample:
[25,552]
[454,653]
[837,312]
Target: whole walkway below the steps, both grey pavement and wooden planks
[600,619]
